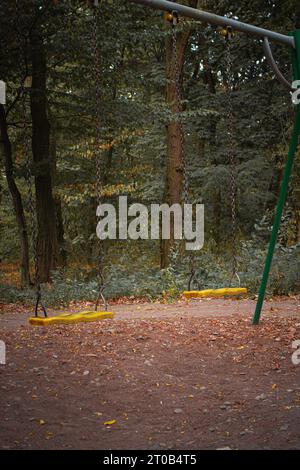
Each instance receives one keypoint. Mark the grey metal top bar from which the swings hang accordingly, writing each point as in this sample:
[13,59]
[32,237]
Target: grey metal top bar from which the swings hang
[211,18]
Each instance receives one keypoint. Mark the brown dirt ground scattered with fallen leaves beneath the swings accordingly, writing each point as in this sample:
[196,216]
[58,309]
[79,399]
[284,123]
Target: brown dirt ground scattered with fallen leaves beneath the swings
[189,376]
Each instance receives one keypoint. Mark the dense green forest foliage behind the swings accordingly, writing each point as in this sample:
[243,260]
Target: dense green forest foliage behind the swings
[134,116]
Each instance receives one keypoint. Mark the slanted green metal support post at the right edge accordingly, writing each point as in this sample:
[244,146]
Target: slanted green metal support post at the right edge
[284,186]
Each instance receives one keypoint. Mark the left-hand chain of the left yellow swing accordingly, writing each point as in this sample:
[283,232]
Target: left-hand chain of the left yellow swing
[25,88]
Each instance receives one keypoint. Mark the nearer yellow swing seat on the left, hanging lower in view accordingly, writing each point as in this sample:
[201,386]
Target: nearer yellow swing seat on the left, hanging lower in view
[71,317]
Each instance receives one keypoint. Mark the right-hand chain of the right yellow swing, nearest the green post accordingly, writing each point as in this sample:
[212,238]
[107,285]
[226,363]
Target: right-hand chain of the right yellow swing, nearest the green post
[232,151]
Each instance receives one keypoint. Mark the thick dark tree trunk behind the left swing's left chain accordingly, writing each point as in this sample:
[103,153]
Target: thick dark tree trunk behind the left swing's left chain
[47,249]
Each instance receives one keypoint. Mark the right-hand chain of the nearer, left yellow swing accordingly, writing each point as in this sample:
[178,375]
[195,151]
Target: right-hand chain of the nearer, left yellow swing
[97,143]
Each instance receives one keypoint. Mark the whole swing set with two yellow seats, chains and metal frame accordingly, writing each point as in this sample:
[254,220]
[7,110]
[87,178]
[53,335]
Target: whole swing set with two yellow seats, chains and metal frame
[173,12]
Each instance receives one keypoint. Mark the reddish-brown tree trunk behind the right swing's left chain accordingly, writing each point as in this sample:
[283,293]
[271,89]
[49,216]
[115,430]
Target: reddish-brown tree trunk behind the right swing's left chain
[174,161]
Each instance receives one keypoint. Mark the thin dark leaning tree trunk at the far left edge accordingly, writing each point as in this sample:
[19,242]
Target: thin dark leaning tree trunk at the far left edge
[16,199]
